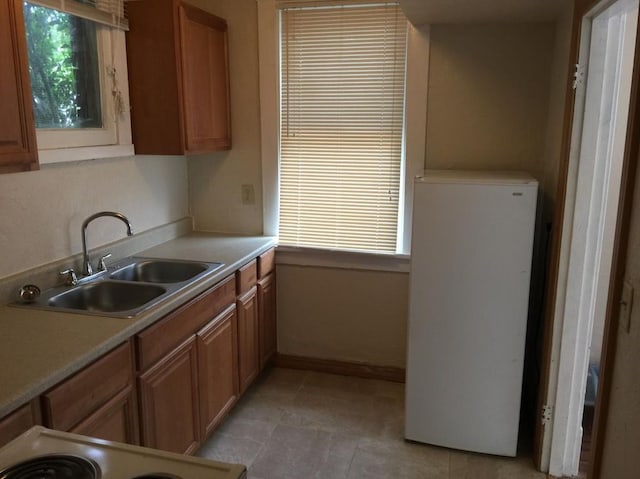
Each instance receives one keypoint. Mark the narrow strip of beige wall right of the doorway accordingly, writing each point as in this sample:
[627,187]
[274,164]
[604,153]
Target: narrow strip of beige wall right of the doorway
[620,457]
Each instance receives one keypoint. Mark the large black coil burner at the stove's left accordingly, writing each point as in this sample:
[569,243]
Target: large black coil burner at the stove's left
[53,466]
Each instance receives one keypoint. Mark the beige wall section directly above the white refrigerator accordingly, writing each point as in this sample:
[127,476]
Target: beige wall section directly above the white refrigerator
[488,96]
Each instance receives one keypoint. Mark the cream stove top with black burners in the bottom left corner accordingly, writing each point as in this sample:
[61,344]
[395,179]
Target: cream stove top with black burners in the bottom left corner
[42,453]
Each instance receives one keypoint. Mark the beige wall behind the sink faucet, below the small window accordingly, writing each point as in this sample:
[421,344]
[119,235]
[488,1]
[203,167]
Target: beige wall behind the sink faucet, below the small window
[41,211]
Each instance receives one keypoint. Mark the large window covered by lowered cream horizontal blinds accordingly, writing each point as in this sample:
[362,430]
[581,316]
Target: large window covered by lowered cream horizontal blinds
[341,126]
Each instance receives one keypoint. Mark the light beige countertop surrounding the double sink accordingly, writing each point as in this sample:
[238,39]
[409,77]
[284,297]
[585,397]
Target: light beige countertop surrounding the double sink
[41,348]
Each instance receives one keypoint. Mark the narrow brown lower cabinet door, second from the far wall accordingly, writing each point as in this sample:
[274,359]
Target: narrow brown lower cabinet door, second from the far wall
[248,349]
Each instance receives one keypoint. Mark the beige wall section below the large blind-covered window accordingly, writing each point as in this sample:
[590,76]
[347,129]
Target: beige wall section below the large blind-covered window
[347,315]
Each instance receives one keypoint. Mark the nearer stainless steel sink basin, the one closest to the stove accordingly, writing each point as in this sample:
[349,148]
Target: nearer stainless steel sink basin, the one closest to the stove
[107,296]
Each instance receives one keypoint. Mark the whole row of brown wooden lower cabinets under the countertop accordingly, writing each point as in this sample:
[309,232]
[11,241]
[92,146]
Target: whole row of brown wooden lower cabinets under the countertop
[191,367]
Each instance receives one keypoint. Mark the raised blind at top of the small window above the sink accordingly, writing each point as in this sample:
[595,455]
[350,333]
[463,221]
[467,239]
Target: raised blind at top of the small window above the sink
[107,12]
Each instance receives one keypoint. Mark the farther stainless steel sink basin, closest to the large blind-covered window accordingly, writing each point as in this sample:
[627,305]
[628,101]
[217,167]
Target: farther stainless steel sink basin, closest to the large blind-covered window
[160,271]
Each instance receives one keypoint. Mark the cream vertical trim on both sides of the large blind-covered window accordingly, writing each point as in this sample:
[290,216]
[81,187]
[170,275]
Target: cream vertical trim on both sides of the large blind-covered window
[415,118]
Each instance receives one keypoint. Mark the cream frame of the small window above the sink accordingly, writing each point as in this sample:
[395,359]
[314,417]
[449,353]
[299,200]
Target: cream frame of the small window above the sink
[114,139]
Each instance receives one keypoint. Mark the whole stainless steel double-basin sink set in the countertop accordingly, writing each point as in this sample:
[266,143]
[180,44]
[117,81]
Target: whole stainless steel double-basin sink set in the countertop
[126,288]
